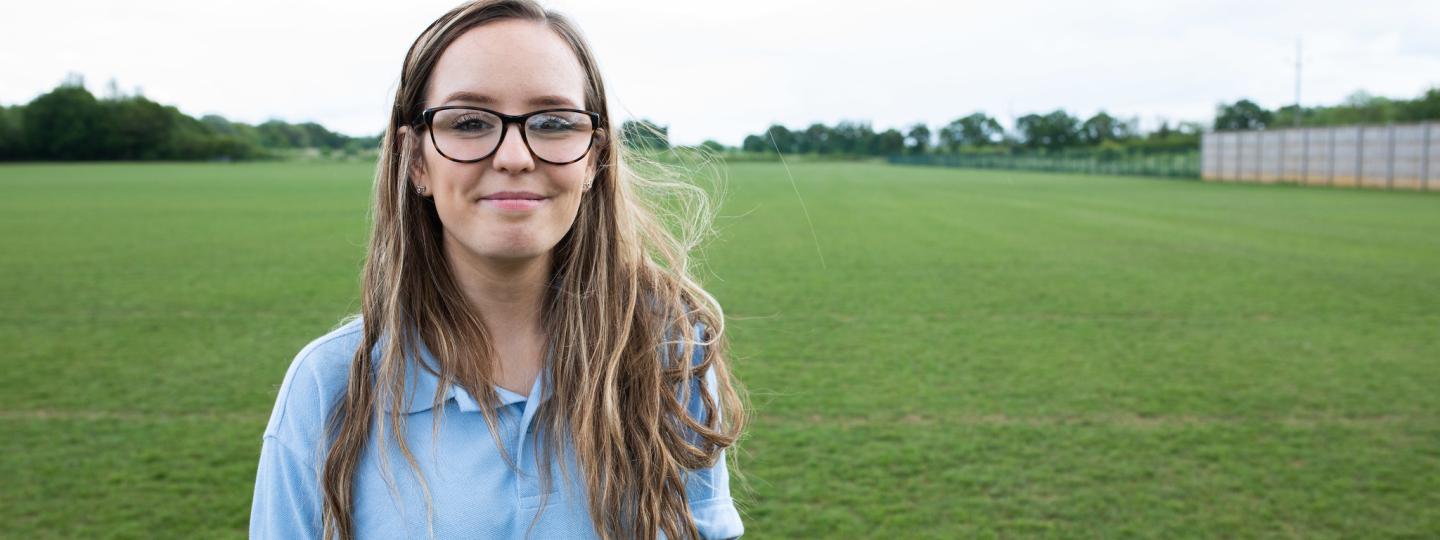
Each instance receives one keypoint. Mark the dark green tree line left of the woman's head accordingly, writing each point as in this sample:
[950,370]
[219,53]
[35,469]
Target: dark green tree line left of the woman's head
[70,123]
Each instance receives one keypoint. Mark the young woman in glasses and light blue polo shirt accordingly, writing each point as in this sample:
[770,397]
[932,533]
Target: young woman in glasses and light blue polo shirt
[532,358]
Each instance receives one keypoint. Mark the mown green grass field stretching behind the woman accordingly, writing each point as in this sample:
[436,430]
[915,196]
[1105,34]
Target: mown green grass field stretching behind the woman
[945,355]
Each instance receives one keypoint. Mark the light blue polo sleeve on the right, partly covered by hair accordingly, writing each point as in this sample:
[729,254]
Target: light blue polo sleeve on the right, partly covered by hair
[709,490]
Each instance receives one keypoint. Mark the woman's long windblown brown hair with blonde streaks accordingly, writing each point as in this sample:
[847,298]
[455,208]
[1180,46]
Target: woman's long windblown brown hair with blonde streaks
[620,290]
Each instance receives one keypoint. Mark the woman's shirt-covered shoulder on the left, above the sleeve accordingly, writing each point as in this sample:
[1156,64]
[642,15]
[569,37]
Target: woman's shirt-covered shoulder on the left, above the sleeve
[315,382]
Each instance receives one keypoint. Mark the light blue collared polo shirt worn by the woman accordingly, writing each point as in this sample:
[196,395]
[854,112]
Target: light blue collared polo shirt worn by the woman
[474,493]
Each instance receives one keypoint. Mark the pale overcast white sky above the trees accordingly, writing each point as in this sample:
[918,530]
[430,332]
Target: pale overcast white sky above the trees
[724,70]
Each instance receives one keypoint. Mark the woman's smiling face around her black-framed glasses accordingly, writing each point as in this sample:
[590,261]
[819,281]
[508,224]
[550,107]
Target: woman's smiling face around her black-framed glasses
[512,67]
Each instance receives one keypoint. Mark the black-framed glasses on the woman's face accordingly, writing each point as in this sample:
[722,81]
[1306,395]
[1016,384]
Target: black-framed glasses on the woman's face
[469,135]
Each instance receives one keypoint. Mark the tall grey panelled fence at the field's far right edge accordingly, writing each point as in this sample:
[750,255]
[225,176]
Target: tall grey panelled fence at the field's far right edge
[1398,156]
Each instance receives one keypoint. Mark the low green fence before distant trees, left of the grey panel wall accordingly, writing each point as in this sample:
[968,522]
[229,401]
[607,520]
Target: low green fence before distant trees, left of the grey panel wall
[1173,165]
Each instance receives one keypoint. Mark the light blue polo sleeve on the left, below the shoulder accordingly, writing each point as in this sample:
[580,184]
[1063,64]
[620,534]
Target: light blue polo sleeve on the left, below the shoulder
[287,496]
